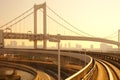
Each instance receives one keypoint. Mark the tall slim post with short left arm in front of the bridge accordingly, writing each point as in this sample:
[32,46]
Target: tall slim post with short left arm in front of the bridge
[58,41]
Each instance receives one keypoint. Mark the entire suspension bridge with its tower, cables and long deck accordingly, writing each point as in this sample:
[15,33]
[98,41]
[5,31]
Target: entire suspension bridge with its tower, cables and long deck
[8,29]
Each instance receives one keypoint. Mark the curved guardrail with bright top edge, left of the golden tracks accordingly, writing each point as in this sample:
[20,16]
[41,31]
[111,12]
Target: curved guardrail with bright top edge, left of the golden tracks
[87,70]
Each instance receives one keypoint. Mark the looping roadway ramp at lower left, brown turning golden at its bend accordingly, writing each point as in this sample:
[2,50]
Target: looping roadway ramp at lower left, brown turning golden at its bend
[38,75]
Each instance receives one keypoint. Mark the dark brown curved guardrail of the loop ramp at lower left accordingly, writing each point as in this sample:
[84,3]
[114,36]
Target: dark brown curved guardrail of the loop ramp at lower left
[21,67]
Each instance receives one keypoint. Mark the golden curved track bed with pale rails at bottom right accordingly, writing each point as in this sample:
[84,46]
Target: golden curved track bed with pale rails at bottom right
[107,71]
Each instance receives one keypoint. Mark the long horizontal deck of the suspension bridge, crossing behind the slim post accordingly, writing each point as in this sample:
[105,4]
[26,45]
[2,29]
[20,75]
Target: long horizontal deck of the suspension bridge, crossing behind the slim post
[33,37]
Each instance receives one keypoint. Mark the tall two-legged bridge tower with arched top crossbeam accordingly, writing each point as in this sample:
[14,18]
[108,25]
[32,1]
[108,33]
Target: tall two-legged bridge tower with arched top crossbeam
[36,7]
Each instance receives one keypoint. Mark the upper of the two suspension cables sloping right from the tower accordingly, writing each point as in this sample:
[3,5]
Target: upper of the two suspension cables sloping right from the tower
[68,22]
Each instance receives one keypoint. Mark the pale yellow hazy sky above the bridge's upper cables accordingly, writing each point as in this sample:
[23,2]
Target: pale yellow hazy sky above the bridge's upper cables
[96,17]
